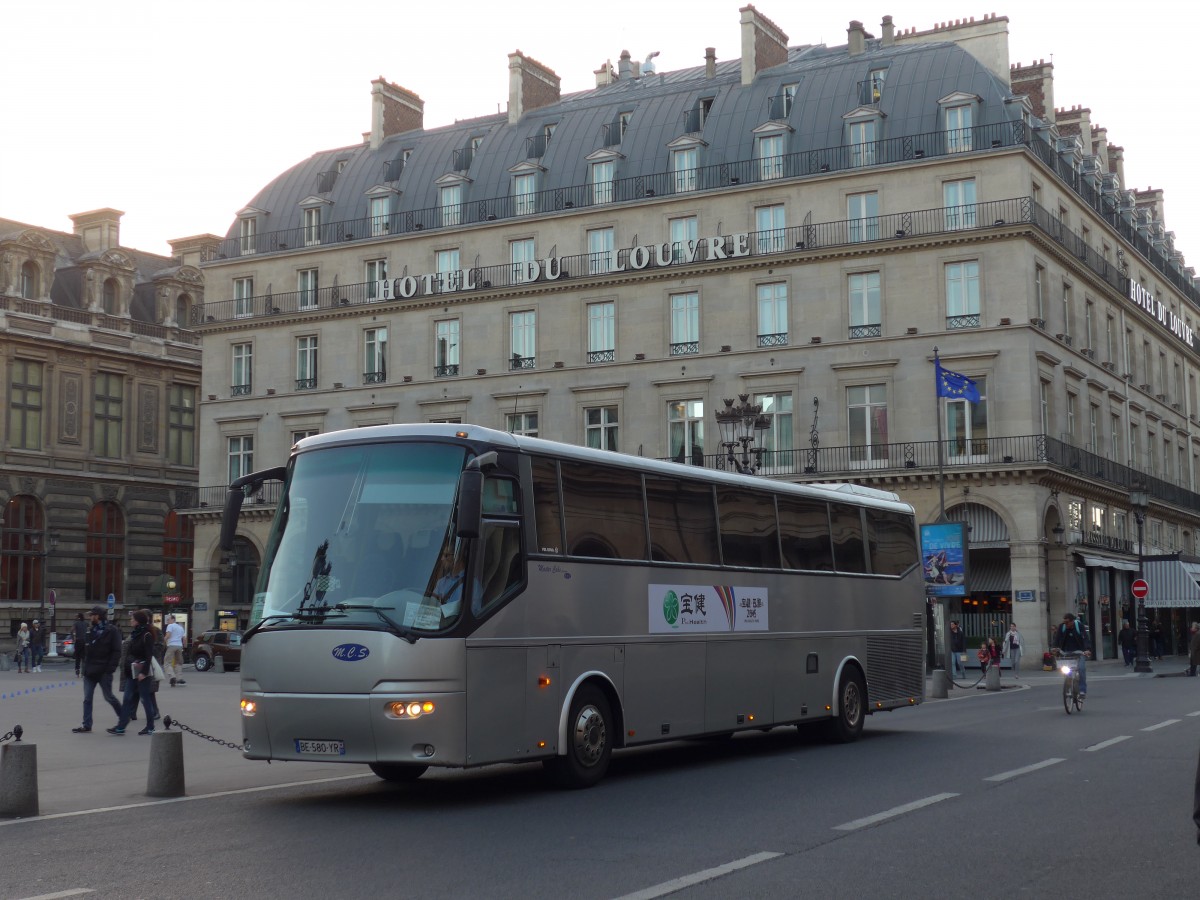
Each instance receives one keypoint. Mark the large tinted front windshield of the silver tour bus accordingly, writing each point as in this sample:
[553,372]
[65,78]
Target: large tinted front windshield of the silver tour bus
[365,535]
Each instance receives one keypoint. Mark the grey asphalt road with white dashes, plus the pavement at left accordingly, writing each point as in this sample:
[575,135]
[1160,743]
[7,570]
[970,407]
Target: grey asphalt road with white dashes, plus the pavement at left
[982,795]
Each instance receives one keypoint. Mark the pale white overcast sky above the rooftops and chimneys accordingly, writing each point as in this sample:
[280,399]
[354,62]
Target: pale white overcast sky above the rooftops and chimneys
[181,113]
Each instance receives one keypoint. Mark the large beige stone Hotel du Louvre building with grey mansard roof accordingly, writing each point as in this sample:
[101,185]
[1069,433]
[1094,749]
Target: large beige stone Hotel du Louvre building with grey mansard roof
[807,226]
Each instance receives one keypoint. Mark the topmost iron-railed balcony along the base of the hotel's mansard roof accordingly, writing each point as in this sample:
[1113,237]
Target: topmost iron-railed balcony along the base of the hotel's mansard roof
[803,164]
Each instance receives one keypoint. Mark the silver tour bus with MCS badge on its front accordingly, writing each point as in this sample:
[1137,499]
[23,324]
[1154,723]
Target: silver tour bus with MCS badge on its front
[452,596]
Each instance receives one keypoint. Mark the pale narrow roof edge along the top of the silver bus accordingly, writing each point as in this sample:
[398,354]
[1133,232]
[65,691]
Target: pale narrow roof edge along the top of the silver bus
[842,491]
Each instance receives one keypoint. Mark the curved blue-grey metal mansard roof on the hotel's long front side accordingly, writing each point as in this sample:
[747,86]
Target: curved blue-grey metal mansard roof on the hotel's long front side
[830,85]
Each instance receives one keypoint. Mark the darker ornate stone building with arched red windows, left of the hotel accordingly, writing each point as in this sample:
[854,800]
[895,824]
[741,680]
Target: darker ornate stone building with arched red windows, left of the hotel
[100,371]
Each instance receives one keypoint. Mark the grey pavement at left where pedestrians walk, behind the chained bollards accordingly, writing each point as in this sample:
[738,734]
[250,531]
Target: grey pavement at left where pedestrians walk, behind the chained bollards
[82,772]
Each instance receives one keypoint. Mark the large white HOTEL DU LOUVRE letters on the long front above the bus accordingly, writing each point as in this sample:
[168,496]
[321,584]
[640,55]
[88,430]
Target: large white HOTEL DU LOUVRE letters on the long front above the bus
[647,256]
